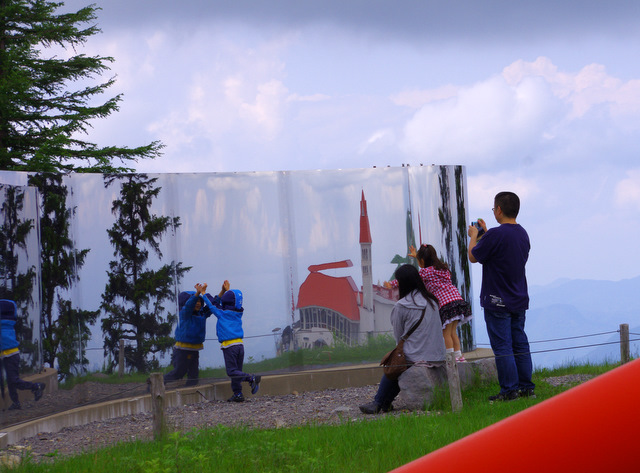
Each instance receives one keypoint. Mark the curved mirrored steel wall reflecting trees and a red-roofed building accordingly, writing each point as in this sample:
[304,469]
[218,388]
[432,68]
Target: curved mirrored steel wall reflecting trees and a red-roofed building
[310,250]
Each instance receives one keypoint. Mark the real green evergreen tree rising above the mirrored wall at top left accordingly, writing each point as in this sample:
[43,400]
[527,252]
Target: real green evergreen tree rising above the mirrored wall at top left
[42,118]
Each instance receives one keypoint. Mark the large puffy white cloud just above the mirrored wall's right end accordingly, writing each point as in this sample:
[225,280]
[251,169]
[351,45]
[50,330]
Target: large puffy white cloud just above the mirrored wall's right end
[488,123]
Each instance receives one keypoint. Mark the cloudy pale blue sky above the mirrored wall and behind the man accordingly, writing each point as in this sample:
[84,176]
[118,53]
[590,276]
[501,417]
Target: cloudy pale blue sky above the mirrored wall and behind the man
[541,98]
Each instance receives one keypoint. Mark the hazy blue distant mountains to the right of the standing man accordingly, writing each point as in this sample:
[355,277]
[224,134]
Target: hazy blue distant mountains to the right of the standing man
[578,321]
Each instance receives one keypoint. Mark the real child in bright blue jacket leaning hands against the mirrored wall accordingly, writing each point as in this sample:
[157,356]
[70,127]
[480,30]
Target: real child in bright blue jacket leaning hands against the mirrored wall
[227,307]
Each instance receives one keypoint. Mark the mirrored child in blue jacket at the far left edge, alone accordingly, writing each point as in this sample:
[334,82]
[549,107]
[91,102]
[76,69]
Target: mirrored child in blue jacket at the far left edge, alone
[10,356]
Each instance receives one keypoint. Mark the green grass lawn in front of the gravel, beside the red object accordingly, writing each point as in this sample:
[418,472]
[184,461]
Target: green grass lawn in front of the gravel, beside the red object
[354,447]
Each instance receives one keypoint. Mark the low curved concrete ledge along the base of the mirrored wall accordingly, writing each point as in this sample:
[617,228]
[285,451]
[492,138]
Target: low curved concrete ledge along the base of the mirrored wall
[272,385]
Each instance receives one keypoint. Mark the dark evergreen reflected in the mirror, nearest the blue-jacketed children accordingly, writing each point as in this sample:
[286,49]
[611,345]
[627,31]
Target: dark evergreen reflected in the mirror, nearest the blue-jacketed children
[134,297]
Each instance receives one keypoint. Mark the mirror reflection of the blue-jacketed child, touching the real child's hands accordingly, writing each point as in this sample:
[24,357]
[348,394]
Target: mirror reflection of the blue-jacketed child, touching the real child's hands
[190,334]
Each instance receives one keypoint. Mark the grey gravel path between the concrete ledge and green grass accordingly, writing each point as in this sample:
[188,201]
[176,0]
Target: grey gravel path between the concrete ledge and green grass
[326,407]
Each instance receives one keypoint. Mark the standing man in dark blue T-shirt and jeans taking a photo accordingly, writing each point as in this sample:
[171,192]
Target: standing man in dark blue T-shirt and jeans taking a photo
[503,252]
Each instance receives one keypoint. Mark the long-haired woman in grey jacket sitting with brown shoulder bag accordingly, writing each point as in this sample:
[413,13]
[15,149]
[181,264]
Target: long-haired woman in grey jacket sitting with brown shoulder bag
[424,345]
